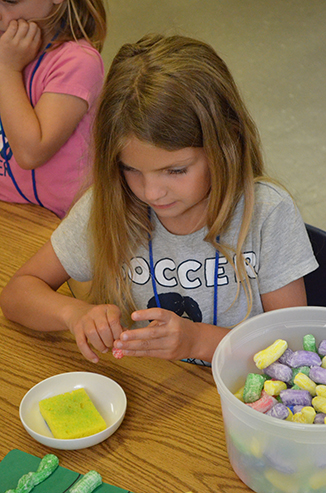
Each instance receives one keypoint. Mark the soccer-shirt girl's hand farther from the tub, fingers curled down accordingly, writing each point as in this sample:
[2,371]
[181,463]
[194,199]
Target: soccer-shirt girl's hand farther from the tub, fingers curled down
[97,326]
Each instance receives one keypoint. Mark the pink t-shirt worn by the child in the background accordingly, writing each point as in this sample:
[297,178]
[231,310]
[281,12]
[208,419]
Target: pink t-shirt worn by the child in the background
[72,68]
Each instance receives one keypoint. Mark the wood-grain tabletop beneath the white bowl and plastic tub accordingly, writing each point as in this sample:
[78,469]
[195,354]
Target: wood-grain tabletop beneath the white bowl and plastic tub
[172,438]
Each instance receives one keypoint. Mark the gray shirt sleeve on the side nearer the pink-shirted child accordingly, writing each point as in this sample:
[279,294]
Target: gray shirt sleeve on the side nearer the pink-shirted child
[72,243]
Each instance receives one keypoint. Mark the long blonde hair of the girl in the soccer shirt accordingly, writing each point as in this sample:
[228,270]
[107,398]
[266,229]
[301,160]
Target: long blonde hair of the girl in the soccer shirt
[173,92]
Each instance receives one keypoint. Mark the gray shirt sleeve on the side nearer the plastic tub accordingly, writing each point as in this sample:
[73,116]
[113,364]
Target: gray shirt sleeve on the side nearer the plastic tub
[286,253]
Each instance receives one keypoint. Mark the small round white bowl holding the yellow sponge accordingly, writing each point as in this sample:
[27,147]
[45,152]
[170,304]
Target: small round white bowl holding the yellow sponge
[107,396]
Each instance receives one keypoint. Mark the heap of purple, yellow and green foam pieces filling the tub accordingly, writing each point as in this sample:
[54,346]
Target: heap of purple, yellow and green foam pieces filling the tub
[294,385]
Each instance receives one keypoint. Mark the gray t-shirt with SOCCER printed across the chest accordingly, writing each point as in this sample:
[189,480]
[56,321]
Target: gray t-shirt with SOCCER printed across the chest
[277,248]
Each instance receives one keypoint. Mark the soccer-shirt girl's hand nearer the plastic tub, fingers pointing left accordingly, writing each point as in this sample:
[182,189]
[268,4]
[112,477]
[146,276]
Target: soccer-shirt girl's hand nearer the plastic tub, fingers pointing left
[168,336]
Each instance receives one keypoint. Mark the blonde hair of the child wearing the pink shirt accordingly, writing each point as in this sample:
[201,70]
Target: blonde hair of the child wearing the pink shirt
[78,19]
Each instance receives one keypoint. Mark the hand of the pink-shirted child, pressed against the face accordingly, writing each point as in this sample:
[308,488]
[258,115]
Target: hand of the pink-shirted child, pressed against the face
[19,45]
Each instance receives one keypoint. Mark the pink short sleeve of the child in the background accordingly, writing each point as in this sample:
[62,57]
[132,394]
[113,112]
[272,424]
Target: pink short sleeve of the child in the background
[76,69]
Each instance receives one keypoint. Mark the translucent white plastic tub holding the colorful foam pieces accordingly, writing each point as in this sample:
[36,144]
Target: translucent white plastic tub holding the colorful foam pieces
[269,455]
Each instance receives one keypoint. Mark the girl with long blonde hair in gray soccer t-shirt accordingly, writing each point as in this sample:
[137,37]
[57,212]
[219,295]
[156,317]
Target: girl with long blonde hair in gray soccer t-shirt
[182,234]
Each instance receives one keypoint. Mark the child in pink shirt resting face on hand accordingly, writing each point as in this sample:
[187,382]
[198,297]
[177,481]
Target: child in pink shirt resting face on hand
[51,73]
